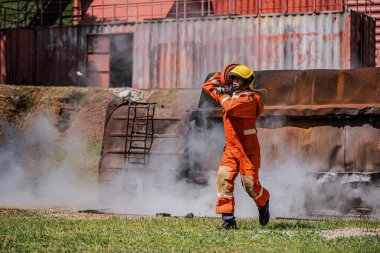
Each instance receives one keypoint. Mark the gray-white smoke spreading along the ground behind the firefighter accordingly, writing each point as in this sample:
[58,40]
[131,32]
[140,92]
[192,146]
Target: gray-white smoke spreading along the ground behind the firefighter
[32,174]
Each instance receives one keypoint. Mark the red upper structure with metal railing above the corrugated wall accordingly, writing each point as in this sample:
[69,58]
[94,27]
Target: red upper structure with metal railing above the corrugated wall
[30,13]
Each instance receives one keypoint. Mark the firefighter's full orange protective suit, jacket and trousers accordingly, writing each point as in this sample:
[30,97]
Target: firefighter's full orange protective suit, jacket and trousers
[242,150]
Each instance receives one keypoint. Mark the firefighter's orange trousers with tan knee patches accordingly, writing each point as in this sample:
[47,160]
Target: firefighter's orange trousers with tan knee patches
[233,163]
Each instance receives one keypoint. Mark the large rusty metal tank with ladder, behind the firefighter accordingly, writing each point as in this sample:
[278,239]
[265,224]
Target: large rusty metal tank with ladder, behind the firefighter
[327,120]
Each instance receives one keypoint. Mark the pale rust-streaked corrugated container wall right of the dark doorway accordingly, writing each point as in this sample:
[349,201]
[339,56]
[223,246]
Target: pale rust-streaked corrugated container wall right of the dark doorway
[179,54]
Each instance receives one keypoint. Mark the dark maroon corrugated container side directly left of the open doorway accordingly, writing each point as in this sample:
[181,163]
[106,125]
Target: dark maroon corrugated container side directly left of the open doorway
[62,52]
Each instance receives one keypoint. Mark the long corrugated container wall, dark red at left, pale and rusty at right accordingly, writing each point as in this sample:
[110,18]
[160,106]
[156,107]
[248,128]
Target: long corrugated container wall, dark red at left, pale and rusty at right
[180,53]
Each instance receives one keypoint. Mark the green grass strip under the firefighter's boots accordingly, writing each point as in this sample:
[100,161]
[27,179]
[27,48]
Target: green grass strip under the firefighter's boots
[34,231]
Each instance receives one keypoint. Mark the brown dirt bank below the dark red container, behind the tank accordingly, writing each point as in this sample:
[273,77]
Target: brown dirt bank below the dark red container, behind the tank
[79,112]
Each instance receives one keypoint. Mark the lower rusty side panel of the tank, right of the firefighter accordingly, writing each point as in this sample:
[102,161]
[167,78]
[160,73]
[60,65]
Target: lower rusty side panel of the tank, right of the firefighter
[322,148]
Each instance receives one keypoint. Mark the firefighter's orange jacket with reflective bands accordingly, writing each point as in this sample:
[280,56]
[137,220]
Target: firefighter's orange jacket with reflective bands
[240,113]
